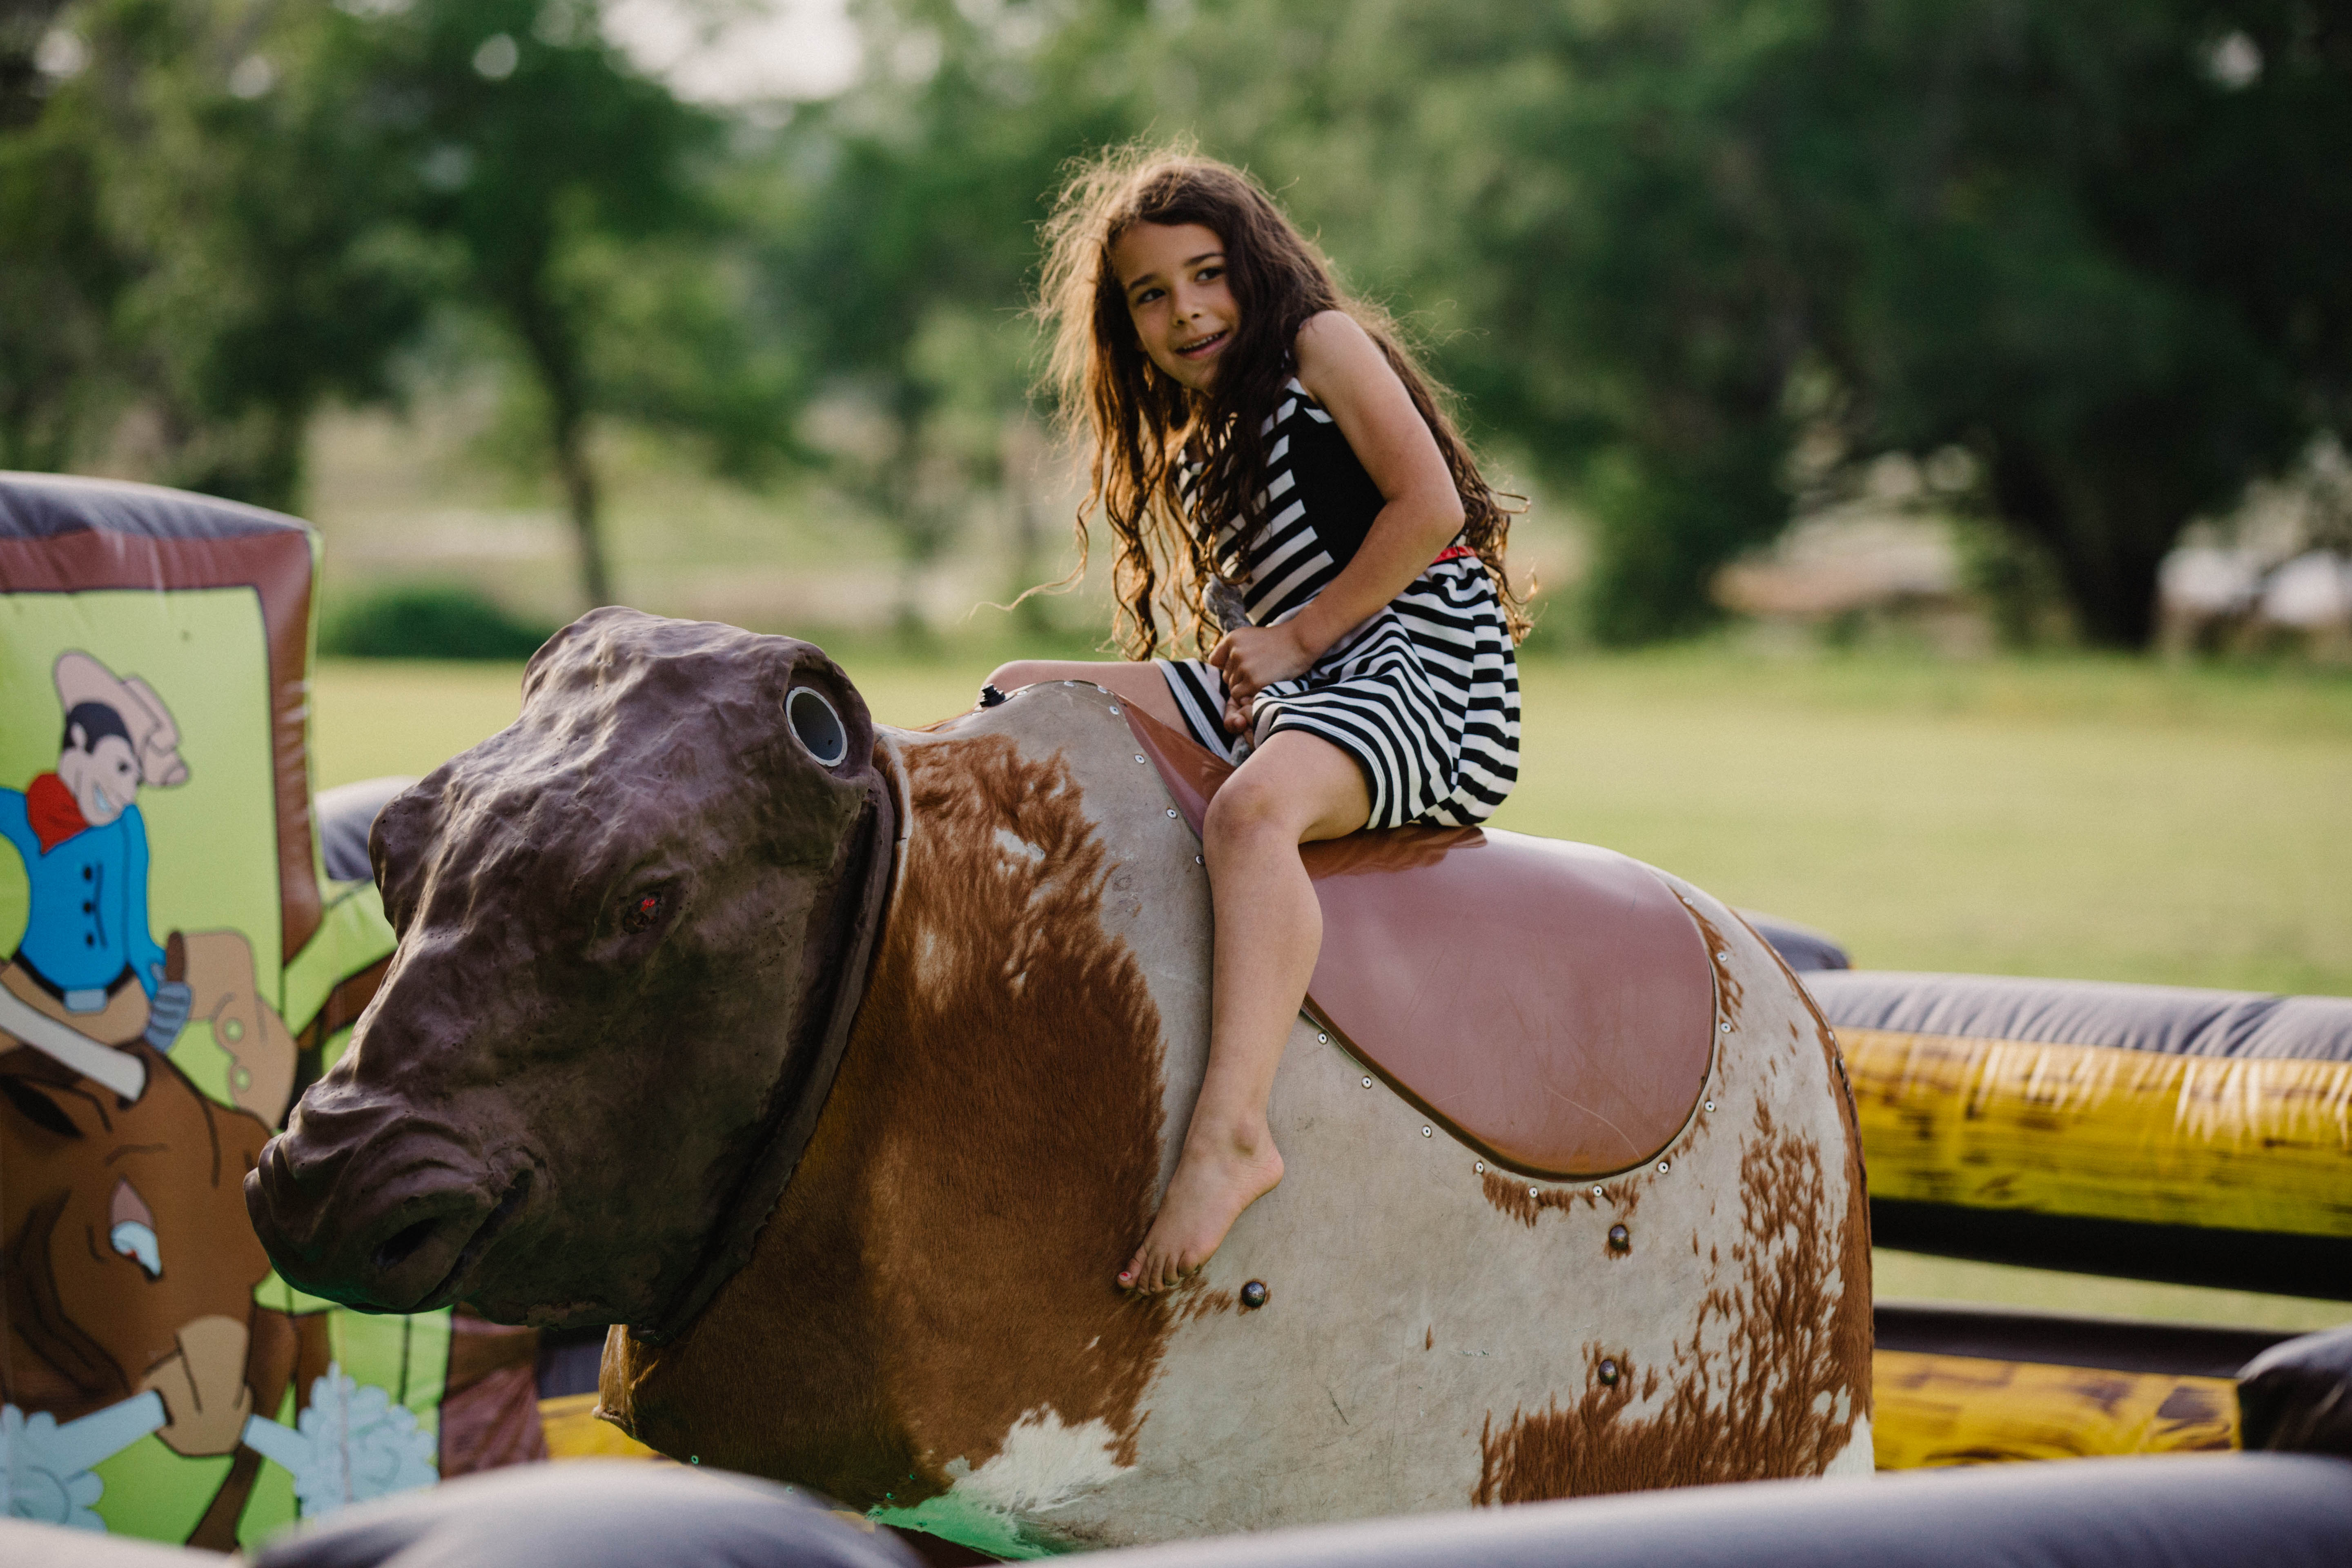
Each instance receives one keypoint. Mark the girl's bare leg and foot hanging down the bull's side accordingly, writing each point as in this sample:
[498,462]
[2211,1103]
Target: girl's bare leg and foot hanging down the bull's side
[1269,930]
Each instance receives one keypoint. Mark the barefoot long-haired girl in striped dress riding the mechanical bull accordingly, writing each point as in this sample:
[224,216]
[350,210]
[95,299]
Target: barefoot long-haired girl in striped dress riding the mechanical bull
[1252,422]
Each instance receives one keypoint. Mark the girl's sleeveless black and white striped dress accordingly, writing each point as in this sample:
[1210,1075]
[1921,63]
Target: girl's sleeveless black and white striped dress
[1424,695]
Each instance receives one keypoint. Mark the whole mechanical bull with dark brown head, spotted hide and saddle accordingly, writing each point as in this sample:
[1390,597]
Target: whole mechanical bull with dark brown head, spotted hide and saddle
[843,1068]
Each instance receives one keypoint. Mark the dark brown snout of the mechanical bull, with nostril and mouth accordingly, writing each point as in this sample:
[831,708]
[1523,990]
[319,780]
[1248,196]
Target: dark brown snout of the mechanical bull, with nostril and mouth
[385,1219]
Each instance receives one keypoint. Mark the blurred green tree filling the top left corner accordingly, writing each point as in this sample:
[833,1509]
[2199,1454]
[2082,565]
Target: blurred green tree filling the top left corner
[196,225]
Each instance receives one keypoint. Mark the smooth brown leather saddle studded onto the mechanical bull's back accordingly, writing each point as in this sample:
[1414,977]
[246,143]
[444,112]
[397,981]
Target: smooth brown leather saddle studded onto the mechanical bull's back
[1546,1003]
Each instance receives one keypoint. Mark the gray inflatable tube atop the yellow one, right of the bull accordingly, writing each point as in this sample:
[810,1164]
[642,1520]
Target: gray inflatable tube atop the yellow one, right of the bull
[2165,1019]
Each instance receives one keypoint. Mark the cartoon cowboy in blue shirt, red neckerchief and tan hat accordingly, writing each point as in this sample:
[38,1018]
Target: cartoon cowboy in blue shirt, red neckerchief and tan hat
[88,956]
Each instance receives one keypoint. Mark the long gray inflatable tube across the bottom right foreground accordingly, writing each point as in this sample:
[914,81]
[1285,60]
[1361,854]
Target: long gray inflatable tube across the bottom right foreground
[2144,1513]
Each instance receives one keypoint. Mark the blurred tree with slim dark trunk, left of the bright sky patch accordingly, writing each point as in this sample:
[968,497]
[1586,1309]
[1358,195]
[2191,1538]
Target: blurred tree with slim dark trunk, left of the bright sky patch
[577,196]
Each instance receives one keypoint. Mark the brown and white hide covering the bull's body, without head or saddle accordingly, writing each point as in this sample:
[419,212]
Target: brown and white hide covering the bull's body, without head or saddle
[930,1322]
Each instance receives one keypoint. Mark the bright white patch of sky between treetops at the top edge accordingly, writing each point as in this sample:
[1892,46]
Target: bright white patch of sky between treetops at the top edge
[740,51]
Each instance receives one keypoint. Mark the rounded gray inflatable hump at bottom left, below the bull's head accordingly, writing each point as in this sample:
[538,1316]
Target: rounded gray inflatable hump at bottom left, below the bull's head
[589,1515]
